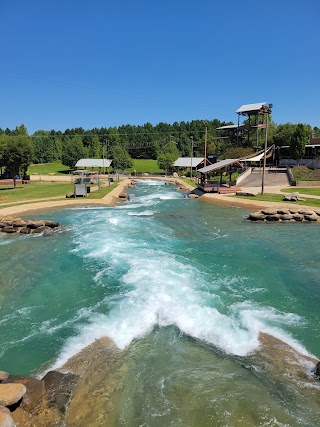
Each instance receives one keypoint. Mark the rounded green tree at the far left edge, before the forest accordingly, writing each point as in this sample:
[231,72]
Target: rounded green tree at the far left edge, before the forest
[16,154]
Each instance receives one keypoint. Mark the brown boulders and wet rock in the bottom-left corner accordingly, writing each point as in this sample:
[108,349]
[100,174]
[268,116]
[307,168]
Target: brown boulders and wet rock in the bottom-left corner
[28,401]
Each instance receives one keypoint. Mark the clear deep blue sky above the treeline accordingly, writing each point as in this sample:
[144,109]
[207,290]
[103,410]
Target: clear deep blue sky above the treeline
[100,63]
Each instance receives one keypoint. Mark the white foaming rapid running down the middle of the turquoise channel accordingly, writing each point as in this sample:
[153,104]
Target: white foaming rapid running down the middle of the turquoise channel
[156,286]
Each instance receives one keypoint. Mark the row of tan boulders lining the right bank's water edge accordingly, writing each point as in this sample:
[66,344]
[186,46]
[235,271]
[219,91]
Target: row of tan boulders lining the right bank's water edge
[290,214]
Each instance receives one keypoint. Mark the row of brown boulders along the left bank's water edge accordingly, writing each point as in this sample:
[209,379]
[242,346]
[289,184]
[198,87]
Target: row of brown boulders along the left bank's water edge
[14,225]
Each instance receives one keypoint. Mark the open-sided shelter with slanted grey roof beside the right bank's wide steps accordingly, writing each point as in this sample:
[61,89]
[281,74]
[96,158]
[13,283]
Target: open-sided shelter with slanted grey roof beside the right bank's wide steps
[208,183]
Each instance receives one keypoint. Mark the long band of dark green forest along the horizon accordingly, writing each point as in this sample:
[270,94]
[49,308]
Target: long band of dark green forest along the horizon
[162,141]
